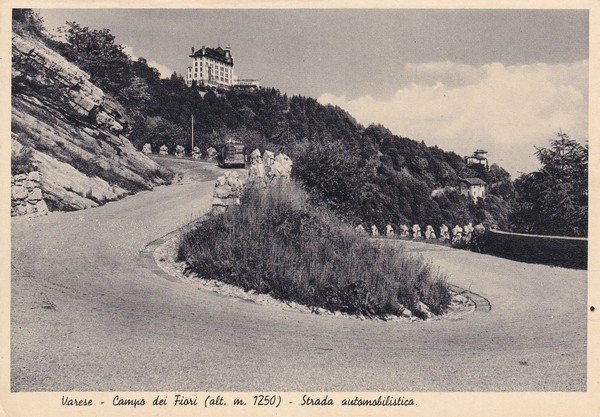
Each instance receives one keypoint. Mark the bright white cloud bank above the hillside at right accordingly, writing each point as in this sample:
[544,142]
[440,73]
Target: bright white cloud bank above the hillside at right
[505,109]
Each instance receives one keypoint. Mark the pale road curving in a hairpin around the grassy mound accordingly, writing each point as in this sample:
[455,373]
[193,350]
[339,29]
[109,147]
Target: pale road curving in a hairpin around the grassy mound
[87,314]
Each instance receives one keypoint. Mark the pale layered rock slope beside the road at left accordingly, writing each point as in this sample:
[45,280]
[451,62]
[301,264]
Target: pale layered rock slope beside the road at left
[72,132]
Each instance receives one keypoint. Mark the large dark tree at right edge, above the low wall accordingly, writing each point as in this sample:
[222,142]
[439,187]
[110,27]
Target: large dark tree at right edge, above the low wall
[554,199]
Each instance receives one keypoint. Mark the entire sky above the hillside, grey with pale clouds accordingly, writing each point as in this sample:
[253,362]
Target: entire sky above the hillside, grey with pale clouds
[502,80]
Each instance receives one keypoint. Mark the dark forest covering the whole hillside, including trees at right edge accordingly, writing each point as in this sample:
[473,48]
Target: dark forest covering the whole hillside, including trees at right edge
[366,174]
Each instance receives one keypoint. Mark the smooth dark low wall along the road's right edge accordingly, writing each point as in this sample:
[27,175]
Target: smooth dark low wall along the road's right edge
[570,252]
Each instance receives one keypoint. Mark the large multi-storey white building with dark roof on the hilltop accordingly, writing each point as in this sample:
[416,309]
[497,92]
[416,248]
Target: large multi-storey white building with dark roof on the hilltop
[214,68]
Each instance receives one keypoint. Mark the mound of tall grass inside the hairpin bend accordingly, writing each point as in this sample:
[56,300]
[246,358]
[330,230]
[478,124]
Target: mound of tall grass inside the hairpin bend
[277,243]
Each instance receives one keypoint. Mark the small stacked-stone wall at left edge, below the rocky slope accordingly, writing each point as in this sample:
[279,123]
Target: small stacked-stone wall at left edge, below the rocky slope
[26,195]
